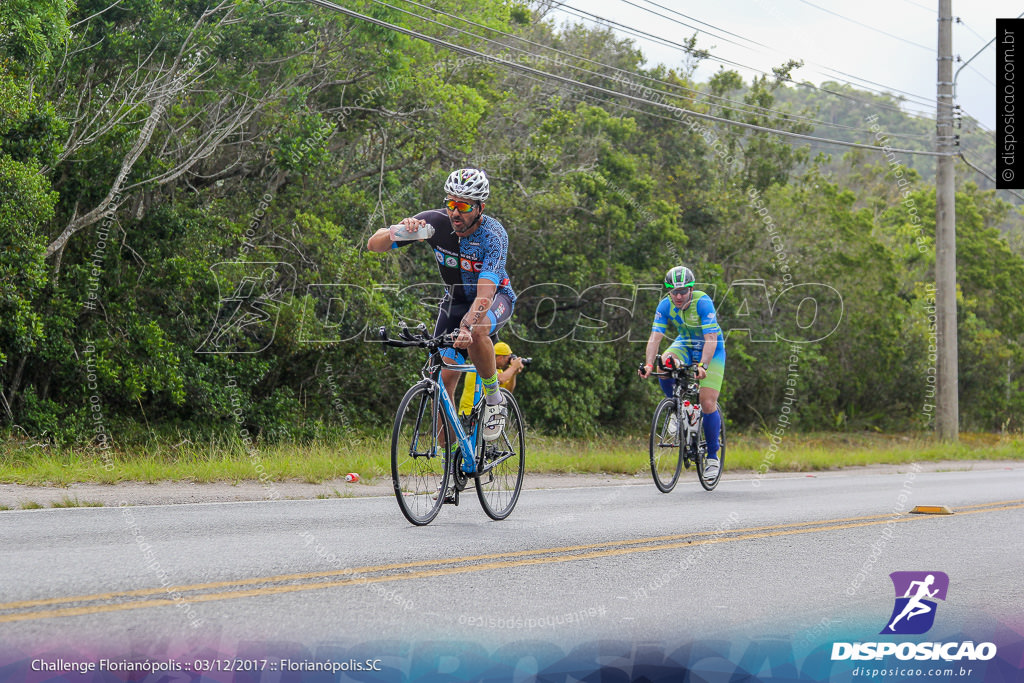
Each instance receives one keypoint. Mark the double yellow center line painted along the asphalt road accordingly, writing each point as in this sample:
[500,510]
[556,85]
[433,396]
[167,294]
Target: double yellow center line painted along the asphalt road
[264,586]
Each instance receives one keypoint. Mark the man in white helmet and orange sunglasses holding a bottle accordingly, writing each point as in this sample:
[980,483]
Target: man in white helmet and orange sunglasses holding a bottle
[472,250]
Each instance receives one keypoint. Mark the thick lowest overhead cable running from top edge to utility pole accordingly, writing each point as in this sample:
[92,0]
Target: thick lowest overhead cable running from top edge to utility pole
[482,56]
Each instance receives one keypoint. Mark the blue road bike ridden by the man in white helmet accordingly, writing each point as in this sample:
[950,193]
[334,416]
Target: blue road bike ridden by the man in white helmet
[425,475]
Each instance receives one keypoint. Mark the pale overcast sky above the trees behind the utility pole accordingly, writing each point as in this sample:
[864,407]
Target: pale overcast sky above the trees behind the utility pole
[794,29]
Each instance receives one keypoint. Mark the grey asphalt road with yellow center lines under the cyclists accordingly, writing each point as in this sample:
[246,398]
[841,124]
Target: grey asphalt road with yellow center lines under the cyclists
[804,559]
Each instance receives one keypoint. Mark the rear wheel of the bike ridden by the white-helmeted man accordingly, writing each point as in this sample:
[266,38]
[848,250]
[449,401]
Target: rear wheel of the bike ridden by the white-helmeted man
[499,488]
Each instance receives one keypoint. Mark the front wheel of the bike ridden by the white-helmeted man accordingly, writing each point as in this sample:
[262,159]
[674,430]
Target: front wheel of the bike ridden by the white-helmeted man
[419,468]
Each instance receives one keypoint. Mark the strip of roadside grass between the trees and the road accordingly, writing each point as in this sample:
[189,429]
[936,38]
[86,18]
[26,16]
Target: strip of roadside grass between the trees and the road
[370,457]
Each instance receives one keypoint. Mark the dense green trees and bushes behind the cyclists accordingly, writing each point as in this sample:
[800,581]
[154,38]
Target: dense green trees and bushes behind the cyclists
[187,189]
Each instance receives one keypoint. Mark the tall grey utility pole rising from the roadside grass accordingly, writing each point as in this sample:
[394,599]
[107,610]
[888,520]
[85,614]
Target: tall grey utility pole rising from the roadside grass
[948,409]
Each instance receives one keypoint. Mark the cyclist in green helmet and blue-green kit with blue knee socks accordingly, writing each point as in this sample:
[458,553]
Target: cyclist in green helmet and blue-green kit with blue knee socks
[700,341]
